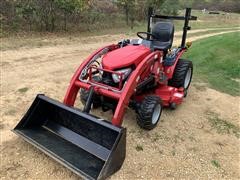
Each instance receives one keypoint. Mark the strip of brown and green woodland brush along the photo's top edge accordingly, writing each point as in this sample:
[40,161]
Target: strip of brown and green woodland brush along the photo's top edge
[92,15]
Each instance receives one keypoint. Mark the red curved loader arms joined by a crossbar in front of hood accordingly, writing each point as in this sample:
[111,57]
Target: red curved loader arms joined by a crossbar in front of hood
[123,96]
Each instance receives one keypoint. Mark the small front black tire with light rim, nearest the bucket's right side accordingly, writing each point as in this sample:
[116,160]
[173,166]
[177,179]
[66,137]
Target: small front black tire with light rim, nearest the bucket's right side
[145,112]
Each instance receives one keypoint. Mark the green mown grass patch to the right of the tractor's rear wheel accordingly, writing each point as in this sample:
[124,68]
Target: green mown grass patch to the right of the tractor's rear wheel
[217,61]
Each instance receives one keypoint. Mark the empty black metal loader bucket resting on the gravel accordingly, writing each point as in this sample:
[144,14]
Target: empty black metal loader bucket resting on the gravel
[91,148]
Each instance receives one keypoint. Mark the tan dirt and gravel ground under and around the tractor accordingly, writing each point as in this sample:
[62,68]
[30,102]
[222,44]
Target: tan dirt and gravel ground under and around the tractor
[186,144]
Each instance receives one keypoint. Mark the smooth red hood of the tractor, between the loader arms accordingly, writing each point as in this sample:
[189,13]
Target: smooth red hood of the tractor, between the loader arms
[124,57]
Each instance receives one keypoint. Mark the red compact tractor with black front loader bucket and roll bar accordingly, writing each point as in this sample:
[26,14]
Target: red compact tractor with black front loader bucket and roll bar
[144,74]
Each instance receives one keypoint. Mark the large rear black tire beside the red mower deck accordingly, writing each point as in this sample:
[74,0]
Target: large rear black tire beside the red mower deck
[181,73]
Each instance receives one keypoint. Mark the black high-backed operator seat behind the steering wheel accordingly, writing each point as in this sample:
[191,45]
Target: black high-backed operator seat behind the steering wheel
[163,35]
